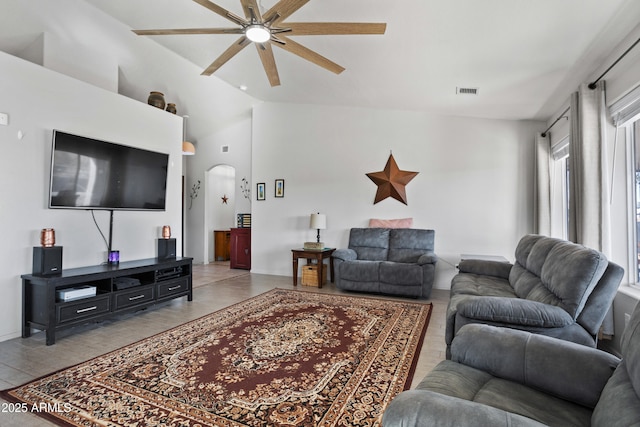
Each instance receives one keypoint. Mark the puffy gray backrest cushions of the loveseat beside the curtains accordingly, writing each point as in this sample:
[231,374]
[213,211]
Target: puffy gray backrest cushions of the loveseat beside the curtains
[556,272]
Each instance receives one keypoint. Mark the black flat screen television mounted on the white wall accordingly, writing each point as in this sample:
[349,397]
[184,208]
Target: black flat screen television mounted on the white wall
[87,173]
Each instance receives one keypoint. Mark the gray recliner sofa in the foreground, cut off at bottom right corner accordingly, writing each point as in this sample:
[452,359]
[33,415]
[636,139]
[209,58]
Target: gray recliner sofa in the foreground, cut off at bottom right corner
[507,377]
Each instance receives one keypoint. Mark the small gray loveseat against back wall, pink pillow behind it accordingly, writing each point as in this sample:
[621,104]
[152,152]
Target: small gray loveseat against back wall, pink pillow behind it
[396,261]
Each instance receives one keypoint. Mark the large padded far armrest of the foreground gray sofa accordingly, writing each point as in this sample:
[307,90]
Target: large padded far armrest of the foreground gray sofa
[564,369]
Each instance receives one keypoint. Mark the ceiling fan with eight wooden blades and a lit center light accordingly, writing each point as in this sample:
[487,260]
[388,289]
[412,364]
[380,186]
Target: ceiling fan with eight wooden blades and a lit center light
[267,29]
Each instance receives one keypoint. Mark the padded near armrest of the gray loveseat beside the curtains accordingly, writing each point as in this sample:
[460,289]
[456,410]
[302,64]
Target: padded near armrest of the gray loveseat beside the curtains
[514,311]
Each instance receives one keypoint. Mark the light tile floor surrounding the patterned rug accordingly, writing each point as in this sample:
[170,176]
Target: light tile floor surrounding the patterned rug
[215,286]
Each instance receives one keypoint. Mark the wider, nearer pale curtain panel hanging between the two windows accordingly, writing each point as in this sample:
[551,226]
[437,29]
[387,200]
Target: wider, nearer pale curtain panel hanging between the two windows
[589,207]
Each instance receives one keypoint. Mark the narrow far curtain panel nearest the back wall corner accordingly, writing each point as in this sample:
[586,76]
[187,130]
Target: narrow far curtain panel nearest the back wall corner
[542,184]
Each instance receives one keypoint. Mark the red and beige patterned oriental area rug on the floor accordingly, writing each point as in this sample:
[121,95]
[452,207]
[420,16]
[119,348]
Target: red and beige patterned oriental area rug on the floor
[283,358]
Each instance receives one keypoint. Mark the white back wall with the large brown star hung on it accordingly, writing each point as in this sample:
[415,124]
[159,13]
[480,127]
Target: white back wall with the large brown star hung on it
[473,187]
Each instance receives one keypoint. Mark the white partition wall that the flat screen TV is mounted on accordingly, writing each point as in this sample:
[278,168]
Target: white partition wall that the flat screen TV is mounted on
[39,100]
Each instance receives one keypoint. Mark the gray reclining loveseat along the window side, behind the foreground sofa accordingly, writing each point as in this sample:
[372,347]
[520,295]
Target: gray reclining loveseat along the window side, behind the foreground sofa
[554,288]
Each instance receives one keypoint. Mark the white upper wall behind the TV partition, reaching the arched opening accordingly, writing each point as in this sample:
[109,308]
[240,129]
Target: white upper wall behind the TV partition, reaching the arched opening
[75,38]
